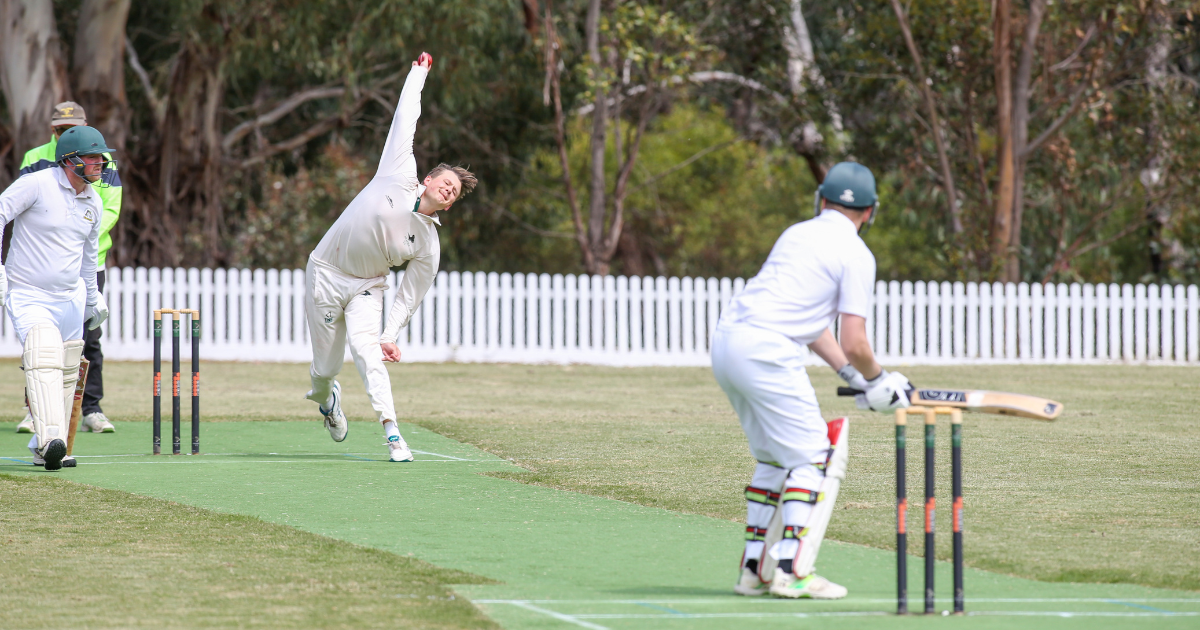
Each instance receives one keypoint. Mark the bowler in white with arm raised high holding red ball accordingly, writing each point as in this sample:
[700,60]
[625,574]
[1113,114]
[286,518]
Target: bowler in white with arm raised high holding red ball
[392,223]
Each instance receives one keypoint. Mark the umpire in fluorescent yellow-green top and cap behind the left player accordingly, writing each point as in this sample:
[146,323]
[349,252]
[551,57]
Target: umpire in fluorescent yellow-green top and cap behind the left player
[67,116]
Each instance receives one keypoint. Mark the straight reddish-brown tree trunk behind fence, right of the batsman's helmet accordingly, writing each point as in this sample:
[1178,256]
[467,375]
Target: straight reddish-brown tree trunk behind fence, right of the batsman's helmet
[1003,58]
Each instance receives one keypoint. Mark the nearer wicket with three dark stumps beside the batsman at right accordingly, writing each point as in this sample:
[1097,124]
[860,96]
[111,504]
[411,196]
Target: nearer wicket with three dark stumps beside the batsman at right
[931,415]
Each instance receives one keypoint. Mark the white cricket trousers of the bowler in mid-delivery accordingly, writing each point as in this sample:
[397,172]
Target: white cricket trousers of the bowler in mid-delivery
[341,308]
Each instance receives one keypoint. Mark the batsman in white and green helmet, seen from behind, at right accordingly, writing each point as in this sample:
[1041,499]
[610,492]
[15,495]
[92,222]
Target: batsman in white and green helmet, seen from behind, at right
[818,271]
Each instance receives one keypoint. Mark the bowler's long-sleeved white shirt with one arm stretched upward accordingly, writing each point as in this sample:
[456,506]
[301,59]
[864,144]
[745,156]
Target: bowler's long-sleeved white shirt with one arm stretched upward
[381,230]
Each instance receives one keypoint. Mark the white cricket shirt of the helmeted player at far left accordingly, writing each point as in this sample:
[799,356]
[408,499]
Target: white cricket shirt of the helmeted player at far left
[56,235]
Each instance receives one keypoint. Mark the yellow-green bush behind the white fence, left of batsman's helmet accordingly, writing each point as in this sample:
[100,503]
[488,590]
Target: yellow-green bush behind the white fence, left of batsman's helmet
[704,201]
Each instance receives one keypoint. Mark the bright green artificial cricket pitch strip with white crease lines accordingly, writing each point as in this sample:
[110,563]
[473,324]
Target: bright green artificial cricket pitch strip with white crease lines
[562,560]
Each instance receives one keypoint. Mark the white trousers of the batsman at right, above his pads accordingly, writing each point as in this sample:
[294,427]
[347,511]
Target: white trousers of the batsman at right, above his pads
[763,374]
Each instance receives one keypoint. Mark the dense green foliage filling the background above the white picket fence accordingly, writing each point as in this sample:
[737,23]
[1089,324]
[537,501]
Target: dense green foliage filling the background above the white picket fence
[1108,195]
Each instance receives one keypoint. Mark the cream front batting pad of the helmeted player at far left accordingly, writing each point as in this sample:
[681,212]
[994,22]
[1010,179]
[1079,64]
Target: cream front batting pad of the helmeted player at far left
[44,361]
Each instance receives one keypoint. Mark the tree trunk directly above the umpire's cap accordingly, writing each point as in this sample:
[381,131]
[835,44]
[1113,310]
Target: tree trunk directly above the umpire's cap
[100,69]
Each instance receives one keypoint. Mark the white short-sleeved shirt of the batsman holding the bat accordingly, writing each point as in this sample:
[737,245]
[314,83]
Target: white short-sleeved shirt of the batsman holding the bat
[817,271]
